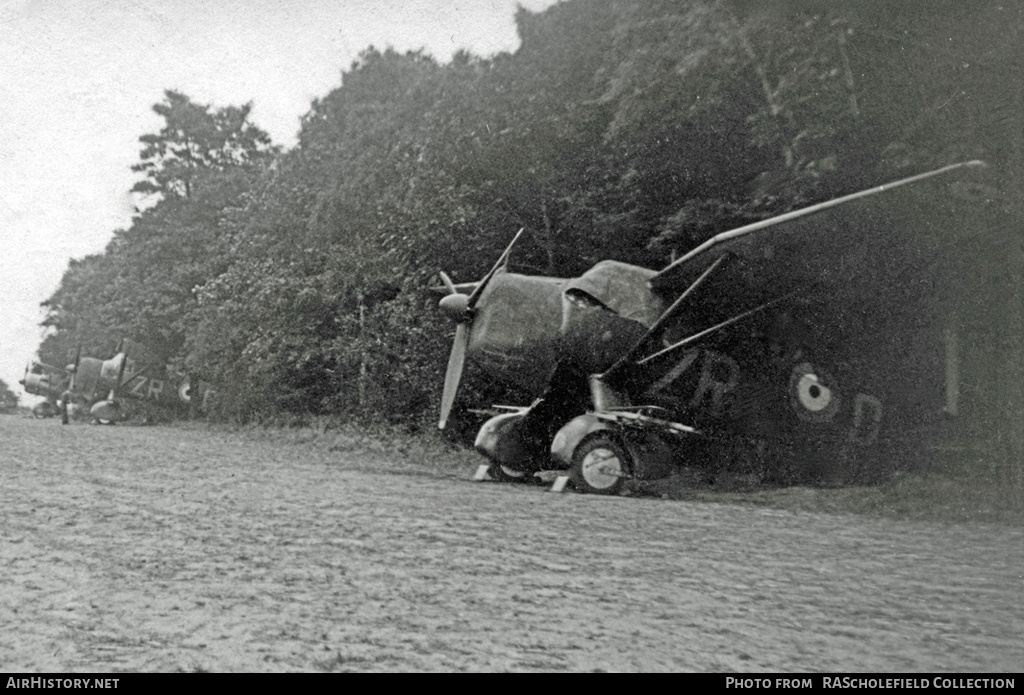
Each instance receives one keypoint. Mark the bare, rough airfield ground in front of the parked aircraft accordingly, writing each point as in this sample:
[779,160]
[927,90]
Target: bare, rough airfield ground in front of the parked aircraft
[159,549]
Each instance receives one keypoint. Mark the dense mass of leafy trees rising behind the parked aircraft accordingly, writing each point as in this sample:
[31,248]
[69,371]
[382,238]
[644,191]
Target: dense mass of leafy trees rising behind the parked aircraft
[631,129]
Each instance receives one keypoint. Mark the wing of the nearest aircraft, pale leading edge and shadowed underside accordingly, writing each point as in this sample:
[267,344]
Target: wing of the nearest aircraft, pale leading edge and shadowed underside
[866,239]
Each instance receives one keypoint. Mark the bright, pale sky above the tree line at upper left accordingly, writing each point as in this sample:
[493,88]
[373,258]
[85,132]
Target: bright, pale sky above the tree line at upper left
[78,80]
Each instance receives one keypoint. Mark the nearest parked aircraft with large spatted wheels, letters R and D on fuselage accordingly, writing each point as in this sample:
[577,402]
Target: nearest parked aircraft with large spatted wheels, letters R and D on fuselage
[796,345]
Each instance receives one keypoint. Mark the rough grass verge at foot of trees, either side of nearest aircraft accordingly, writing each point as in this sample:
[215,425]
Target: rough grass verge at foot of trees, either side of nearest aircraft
[975,490]
